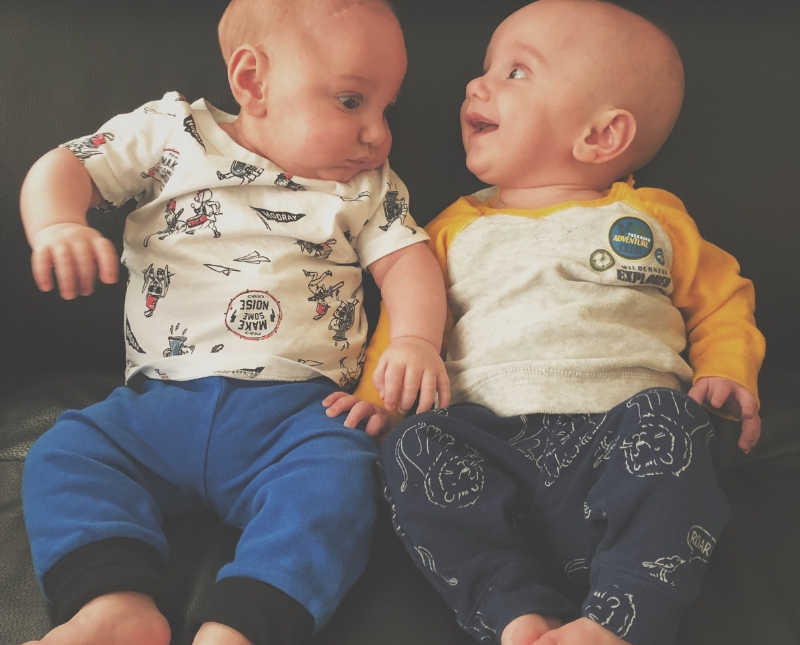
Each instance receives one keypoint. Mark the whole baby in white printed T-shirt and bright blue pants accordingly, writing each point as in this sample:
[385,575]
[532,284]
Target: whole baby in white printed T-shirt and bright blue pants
[245,257]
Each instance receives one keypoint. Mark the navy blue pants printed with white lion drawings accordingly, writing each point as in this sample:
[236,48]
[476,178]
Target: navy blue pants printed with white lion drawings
[610,516]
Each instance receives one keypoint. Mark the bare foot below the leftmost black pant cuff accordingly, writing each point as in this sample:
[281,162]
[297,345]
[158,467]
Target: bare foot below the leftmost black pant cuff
[123,618]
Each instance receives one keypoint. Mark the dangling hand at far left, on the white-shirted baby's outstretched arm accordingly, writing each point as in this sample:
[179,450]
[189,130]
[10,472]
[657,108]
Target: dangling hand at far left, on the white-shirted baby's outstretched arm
[77,254]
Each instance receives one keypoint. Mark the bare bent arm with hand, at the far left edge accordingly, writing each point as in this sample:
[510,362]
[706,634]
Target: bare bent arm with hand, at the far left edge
[54,198]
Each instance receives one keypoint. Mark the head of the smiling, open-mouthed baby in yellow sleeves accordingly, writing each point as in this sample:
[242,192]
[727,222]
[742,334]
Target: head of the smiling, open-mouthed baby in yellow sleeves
[574,92]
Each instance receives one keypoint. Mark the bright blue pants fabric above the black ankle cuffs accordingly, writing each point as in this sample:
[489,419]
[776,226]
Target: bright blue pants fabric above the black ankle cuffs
[263,456]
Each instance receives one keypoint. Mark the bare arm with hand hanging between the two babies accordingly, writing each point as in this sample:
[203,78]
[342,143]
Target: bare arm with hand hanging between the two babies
[412,290]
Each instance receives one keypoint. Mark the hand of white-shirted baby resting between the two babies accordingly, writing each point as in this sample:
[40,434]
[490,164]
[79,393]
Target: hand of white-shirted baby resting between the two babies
[411,365]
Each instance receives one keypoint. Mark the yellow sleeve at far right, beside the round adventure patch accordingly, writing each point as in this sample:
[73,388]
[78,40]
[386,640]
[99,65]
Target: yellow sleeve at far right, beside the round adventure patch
[717,303]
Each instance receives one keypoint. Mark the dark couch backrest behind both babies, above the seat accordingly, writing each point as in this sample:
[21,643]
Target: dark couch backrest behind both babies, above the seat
[66,67]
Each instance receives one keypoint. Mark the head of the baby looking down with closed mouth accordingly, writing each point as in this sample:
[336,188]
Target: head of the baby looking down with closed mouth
[314,79]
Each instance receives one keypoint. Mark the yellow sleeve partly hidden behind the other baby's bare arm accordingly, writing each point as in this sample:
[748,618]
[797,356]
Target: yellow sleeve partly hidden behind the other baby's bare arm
[441,230]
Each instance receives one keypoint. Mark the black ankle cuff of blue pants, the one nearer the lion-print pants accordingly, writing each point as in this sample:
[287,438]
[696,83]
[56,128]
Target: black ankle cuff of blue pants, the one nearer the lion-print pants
[261,612]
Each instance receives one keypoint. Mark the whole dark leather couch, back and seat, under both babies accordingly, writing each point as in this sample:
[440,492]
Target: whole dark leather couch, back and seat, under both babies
[69,65]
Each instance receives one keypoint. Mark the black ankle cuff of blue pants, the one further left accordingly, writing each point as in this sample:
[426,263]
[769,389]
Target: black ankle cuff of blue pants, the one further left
[98,568]
